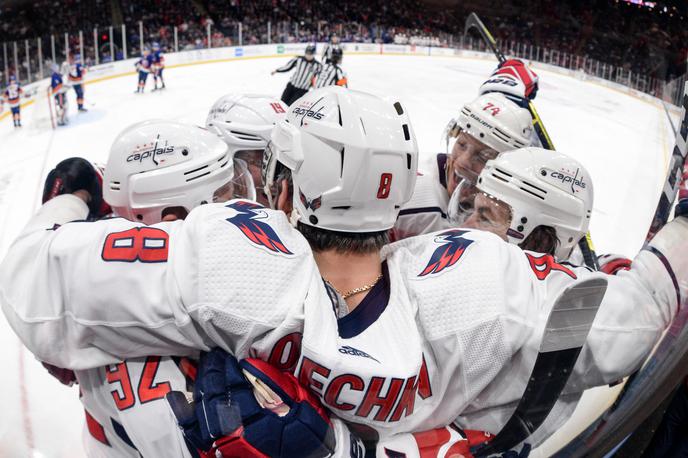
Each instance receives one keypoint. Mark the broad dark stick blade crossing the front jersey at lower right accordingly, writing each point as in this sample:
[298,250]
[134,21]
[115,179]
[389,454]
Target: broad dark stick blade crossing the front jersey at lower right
[565,334]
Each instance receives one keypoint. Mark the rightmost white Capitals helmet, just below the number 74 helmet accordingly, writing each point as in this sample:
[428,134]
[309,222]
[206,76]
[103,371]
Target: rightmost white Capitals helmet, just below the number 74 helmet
[533,187]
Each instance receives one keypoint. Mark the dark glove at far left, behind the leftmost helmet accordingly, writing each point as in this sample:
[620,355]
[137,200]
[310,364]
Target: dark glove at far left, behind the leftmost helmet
[77,176]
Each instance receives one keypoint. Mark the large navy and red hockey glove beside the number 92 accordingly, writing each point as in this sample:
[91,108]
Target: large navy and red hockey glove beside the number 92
[248,407]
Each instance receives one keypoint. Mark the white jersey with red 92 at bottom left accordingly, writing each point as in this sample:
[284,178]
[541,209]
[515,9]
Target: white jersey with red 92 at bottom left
[126,411]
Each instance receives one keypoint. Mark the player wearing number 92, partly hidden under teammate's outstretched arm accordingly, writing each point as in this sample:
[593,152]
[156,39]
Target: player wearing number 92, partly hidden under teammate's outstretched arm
[135,423]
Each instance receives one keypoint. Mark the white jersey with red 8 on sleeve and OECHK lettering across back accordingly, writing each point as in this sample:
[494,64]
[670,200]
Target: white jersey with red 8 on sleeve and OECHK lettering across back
[450,334]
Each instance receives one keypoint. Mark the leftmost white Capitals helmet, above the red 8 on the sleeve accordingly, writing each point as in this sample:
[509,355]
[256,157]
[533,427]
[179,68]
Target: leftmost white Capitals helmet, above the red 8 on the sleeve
[154,165]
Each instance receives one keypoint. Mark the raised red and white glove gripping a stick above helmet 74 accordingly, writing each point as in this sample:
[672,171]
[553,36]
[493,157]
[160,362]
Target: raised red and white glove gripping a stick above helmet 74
[512,78]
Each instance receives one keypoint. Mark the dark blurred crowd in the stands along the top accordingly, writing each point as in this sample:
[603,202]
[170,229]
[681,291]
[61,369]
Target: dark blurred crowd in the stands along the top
[649,39]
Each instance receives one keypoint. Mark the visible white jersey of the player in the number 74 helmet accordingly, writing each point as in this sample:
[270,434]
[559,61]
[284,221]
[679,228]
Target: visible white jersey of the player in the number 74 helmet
[427,210]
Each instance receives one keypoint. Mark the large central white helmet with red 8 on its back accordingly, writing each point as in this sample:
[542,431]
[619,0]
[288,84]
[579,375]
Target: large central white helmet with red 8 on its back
[353,158]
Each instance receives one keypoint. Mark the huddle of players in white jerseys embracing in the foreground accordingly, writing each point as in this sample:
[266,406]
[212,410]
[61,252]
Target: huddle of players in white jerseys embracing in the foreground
[284,282]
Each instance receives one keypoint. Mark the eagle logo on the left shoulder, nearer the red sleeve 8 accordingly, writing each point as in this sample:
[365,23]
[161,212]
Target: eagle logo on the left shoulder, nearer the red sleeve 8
[249,220]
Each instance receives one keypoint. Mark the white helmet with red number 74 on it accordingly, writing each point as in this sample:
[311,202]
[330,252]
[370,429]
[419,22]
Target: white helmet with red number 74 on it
[494,120]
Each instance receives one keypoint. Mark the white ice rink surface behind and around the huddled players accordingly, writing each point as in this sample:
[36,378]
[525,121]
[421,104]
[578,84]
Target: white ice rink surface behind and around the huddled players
[623,141]
